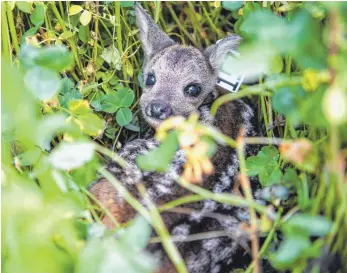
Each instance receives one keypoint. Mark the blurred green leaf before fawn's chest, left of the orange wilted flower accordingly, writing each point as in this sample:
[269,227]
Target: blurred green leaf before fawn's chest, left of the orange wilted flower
[159,158]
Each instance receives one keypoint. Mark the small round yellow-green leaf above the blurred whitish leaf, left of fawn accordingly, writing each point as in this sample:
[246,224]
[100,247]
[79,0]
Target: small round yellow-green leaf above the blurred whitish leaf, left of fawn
[91,124]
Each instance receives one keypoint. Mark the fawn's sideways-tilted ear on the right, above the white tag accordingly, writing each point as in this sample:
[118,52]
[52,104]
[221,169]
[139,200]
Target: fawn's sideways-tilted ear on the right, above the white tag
[215,53]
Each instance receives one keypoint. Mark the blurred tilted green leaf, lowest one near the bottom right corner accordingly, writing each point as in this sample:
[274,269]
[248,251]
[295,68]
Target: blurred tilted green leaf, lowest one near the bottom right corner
[289,251]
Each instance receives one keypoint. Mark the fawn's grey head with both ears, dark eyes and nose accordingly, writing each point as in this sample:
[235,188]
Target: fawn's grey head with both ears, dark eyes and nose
[178,79]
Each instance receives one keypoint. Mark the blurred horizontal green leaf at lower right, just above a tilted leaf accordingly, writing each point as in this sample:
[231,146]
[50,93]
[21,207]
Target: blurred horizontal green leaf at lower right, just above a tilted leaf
[306,223]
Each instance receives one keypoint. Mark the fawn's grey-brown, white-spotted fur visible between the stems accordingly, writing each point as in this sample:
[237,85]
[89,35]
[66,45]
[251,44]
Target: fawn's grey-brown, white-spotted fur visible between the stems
[176,66]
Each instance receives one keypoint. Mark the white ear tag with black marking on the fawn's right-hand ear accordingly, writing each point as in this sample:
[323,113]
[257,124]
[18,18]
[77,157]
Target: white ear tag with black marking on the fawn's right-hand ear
[230,82]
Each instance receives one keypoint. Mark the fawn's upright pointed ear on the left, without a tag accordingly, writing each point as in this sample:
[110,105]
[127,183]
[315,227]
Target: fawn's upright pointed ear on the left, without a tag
[152,37]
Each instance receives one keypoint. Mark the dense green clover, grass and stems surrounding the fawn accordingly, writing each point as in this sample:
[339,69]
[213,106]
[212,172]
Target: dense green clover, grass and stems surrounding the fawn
[71,81]
